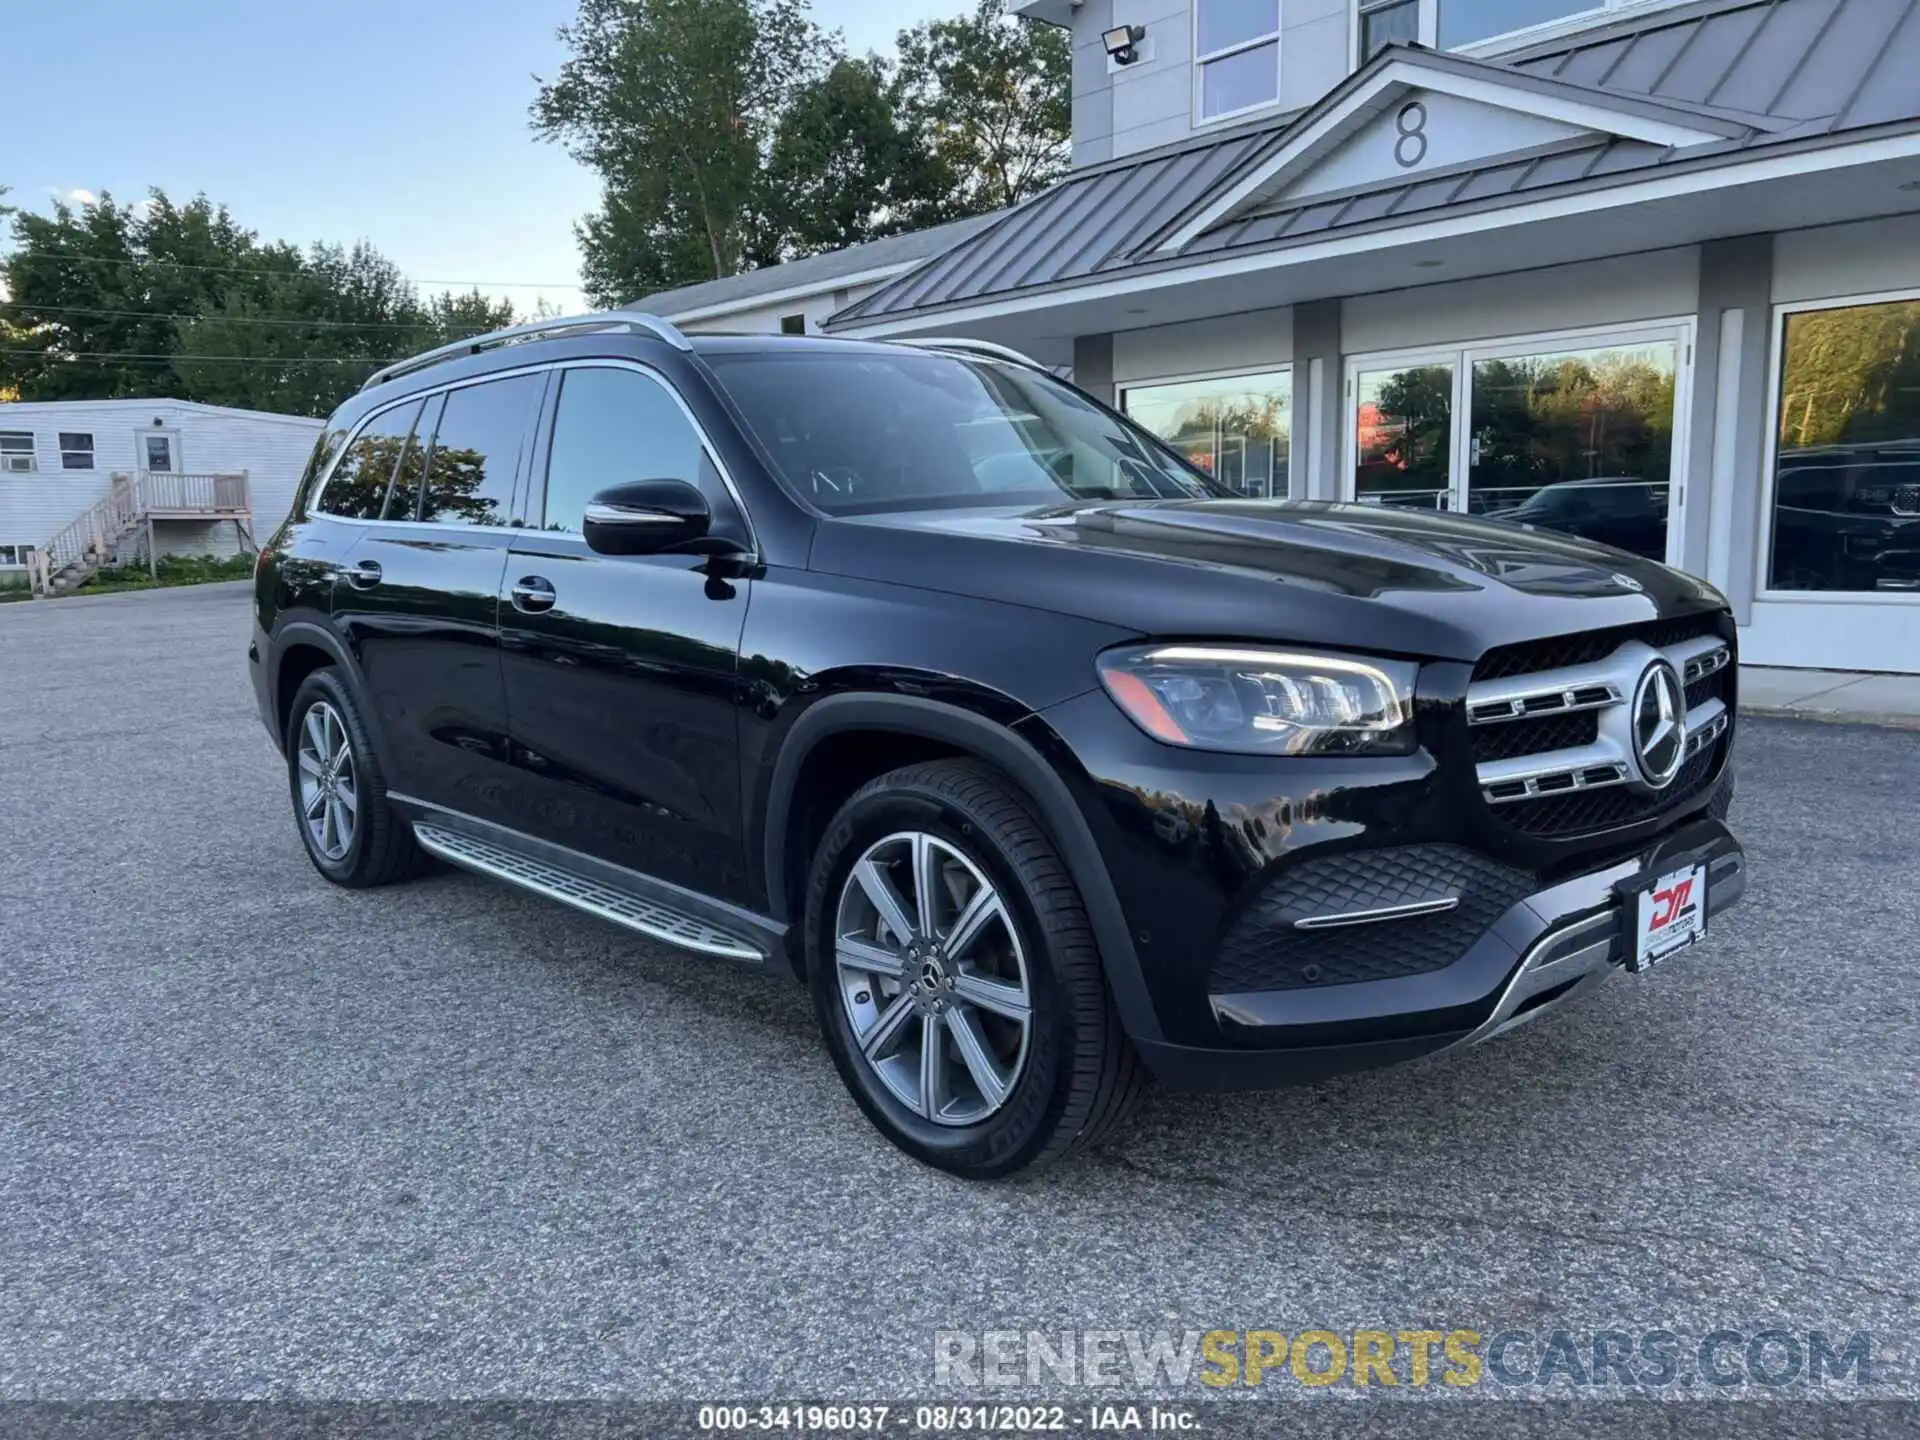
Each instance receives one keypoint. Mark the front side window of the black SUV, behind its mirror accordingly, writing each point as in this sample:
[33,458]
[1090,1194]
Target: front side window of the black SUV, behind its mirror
[615,427]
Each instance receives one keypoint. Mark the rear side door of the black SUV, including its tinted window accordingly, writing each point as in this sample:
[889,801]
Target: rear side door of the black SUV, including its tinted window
[418,594]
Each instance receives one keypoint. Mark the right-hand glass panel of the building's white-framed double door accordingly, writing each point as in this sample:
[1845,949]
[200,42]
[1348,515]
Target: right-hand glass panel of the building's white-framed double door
[1577,441]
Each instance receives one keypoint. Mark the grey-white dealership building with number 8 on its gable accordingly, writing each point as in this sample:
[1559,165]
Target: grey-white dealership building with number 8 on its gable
[1639,270]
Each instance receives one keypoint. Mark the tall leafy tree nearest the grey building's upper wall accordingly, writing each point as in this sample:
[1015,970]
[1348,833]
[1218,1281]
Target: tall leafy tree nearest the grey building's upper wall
[992,93]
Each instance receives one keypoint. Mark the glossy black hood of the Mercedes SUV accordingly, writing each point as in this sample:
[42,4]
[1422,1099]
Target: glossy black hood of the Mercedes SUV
[1355,577]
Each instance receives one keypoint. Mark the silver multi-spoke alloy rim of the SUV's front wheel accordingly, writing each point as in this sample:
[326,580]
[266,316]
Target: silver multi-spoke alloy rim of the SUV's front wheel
[934,978]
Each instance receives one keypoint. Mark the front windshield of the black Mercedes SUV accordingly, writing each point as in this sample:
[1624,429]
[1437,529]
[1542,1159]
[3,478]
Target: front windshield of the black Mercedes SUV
[861,433]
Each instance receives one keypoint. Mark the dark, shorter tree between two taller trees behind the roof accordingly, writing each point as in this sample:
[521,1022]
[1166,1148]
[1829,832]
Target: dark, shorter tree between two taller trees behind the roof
[844,170]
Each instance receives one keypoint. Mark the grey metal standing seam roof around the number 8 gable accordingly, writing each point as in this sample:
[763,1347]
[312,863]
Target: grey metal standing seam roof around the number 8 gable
[1760,72]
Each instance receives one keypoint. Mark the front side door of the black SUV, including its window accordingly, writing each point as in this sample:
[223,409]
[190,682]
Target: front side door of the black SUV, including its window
[621,669]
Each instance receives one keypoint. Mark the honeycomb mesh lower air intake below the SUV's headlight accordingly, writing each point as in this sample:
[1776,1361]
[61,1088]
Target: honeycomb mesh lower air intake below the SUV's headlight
[1266,949]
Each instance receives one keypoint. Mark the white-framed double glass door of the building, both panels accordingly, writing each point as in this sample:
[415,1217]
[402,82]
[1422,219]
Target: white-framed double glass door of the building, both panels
[1583,437]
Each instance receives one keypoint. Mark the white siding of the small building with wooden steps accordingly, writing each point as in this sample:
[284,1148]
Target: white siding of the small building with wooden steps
[270,448]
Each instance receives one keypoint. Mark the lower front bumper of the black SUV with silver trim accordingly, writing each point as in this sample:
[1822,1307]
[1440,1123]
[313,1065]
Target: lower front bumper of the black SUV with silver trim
[1541,953]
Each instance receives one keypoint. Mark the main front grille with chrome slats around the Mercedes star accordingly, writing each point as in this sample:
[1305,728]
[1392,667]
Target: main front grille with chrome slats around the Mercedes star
[1552,731]
